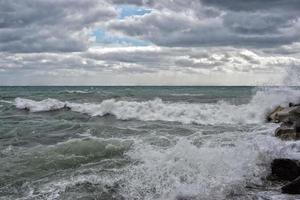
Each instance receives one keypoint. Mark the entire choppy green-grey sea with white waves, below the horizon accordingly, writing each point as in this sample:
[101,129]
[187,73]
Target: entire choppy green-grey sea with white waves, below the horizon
[167,143]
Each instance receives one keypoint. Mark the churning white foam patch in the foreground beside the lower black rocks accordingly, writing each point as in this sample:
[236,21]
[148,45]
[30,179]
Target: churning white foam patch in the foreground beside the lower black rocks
[206,172]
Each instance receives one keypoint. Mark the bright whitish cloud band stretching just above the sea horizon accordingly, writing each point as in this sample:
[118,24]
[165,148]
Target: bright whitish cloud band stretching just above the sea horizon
[151,61]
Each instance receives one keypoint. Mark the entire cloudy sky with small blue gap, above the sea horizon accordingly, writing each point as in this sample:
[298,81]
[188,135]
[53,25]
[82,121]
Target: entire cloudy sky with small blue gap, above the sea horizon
[148,42]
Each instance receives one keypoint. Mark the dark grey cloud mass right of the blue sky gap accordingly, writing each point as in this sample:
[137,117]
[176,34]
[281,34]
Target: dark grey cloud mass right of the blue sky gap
[216,23]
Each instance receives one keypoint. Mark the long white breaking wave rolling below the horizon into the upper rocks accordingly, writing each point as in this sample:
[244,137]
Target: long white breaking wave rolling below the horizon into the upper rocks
[200,113]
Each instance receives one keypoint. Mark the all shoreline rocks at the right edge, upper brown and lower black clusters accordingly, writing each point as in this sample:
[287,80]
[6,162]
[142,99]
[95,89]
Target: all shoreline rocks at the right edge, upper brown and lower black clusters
[285,170]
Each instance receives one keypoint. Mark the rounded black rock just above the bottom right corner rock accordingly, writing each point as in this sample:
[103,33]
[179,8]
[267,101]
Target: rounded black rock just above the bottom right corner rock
[285,169]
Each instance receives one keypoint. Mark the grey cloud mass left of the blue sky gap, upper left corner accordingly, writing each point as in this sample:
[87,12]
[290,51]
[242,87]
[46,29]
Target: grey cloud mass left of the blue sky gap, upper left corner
[49,25]
